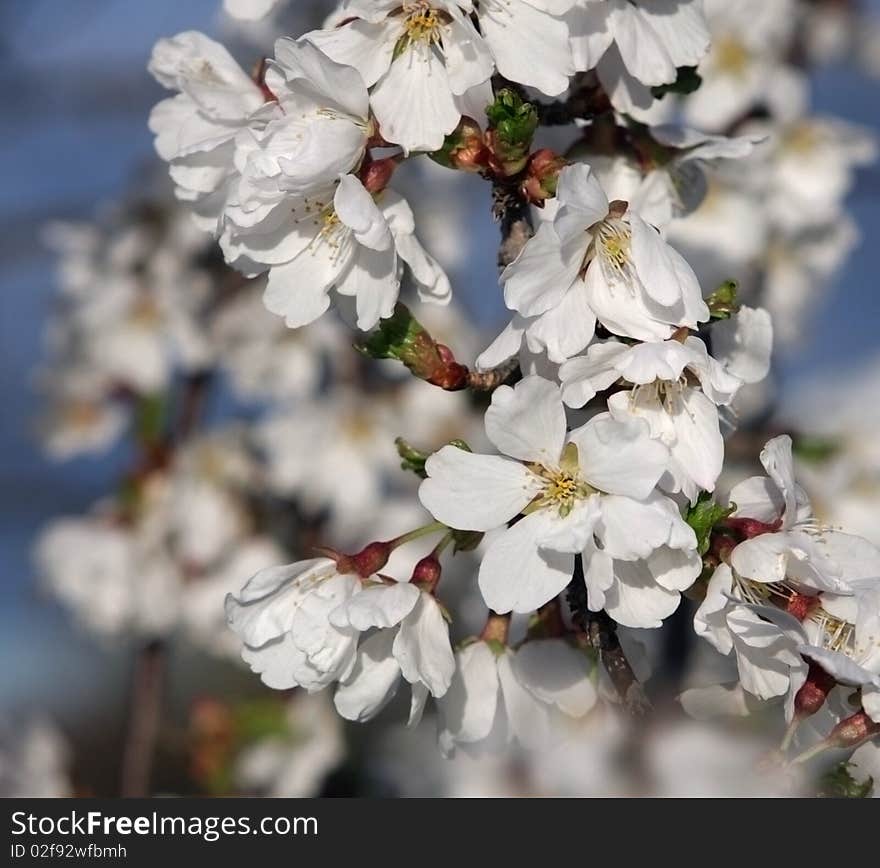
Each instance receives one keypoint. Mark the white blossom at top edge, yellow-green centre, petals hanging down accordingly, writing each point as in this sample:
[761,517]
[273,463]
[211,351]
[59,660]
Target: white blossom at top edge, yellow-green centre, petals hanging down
[420,57]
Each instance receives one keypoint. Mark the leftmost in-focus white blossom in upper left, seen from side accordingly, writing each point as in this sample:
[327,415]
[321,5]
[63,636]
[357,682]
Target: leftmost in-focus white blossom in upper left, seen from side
[195,130]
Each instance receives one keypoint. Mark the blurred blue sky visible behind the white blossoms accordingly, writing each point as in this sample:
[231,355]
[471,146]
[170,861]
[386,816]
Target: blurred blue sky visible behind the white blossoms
[75,97]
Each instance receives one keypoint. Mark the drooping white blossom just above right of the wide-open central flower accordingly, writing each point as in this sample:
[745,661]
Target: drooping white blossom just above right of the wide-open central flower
[681,413]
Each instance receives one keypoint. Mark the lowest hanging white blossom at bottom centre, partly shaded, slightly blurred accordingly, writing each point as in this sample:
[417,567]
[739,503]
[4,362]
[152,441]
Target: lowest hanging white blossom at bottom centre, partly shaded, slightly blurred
[498,694]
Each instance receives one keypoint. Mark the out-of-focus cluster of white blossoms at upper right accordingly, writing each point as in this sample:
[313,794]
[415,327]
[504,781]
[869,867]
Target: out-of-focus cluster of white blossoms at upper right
[777,221]
